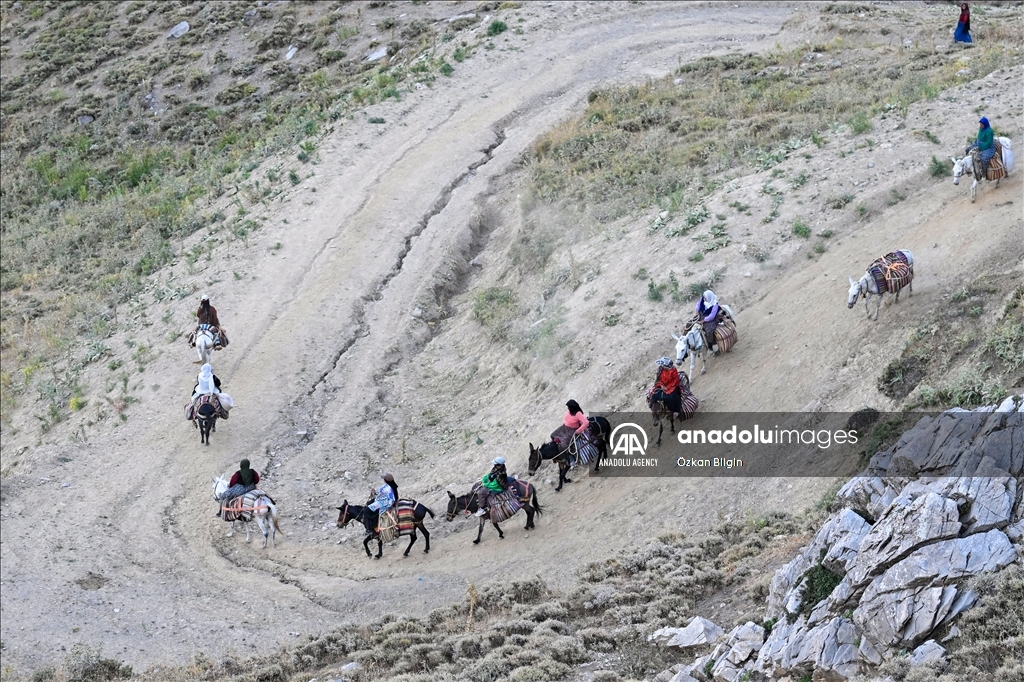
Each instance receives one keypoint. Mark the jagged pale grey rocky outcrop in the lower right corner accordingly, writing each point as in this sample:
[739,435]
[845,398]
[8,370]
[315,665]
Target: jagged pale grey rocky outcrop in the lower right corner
[940,507]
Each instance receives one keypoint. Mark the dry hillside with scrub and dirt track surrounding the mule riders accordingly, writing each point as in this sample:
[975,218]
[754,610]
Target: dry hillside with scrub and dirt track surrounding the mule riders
[426,230]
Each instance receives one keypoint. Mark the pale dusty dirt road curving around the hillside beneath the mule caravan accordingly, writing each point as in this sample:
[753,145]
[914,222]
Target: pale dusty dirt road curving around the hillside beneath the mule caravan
[353,353]
